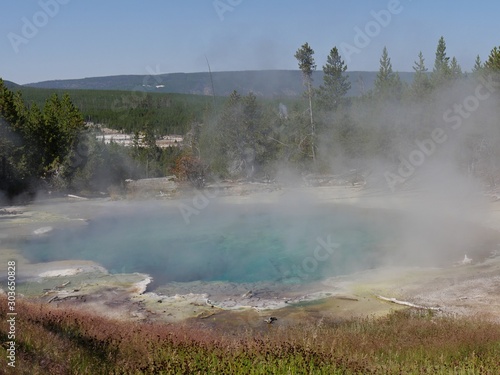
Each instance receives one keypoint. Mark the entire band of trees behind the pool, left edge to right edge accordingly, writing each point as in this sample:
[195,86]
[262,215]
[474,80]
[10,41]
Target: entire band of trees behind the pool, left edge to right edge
[50,147]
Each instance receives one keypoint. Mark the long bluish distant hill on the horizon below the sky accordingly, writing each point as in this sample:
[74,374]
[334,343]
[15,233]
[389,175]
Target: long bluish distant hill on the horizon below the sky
[265,83]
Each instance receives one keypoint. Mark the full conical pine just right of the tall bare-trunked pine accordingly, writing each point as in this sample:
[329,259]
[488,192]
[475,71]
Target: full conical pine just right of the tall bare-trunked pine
[336,84]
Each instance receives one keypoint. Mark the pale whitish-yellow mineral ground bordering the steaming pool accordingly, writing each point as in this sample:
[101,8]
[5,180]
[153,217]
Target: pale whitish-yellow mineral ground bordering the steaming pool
[117,295]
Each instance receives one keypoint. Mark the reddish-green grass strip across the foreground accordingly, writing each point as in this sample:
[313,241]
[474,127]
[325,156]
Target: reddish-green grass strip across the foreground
[64,341]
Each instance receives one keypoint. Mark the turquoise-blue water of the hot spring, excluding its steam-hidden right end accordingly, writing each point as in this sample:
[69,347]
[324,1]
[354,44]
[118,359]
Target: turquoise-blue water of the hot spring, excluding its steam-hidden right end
[226,243]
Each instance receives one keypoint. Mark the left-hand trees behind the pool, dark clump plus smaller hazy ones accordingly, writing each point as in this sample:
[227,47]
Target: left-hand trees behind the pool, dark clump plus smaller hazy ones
[51,148]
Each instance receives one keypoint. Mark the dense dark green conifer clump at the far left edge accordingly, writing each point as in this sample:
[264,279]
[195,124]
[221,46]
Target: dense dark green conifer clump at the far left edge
[38,143]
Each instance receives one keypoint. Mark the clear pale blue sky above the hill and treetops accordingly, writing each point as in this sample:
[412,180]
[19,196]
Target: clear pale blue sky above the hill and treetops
[85,38]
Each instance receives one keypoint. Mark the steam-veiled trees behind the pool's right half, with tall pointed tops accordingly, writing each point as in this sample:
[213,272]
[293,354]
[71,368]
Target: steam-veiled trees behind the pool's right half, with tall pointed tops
[329,131]
